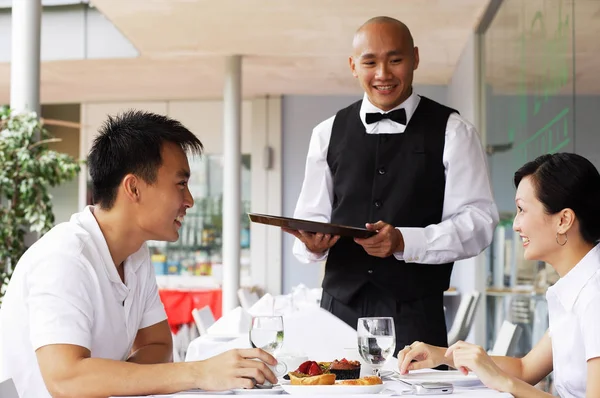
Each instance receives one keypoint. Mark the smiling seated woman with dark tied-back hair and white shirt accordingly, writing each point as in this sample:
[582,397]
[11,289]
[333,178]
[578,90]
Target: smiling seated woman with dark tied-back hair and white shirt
[558,219]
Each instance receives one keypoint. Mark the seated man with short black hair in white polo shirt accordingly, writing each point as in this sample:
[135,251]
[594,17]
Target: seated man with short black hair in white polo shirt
[82,315]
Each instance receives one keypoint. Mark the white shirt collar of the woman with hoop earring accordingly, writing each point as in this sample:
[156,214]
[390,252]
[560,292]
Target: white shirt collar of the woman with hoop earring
[568,287]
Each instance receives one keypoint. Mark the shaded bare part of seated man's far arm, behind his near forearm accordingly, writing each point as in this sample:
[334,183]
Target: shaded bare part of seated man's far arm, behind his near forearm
[153,344]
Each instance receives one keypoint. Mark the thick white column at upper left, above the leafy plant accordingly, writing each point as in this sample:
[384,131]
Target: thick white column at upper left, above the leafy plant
[25,56]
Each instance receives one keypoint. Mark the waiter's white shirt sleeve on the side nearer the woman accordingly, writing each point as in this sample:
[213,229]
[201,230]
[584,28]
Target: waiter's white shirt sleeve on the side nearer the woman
[469,214]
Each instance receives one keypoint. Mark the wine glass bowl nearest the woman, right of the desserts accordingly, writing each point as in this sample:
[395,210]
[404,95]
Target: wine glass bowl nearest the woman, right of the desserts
[376,340]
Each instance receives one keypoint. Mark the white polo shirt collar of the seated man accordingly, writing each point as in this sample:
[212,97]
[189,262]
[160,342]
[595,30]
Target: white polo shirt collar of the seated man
[87,220]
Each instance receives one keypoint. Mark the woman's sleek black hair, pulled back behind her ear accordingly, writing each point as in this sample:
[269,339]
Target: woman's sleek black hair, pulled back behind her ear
[567,180]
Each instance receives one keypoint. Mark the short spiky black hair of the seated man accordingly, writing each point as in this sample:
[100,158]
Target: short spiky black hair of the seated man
[130,143]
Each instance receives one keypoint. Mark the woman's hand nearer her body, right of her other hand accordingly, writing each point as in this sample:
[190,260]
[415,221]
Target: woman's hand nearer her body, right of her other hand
[472,357]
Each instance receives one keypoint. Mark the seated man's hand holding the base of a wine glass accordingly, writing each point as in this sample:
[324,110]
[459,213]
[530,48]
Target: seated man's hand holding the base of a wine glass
[235,369]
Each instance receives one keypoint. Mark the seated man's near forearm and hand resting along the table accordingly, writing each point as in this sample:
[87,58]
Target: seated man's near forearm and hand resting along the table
[68,371]
